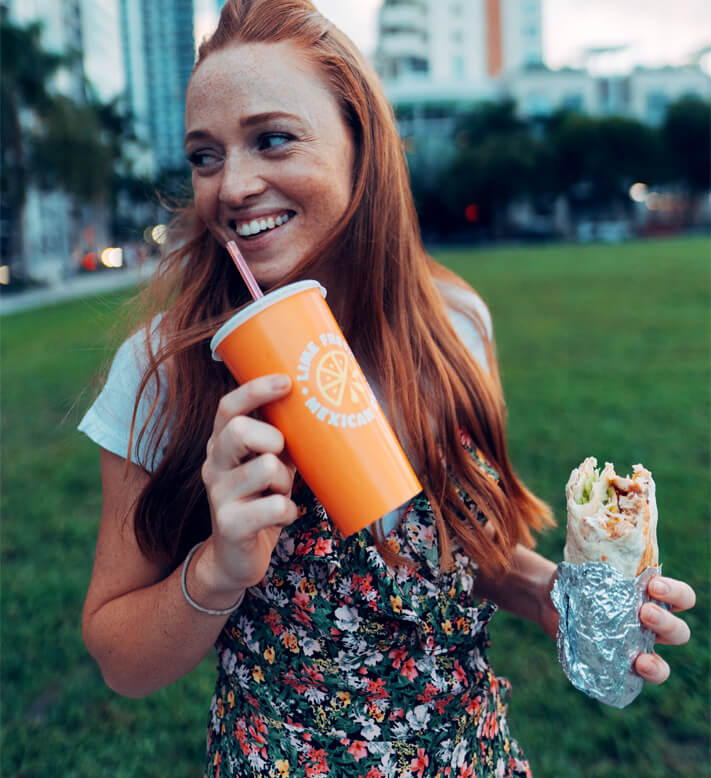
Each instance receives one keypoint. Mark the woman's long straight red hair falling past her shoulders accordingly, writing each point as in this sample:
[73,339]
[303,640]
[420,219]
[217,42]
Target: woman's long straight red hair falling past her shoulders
[395,320]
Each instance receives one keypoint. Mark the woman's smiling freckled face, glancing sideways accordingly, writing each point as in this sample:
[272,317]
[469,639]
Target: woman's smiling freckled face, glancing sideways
[271,155]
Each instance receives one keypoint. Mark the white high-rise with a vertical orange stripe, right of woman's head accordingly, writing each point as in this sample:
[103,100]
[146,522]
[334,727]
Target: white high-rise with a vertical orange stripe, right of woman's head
[455,49]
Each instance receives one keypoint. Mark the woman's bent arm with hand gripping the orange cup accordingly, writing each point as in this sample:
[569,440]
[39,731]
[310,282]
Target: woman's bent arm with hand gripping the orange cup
[136,622]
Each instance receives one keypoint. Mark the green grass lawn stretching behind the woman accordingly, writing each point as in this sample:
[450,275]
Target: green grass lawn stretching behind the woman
[604,351]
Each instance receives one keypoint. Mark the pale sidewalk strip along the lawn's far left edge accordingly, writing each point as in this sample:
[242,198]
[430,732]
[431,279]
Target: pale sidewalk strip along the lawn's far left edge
[84,285]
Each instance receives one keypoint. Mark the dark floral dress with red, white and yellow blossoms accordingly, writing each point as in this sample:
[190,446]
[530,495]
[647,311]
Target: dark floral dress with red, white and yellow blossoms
[337,665]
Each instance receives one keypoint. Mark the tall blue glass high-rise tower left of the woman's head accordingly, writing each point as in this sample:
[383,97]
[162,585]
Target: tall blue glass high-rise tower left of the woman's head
[159,51]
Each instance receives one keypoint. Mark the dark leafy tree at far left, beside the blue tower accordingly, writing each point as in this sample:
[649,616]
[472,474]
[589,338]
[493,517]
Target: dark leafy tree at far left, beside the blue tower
[52,141]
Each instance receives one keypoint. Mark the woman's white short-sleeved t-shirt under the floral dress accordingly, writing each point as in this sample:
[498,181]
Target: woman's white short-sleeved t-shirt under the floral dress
[108,420]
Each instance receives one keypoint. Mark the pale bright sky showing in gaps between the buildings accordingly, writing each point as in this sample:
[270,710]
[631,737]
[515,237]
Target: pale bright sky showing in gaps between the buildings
[654,32]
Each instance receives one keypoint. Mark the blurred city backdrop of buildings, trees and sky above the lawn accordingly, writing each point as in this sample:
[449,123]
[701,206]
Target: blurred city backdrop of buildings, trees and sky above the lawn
[442,63]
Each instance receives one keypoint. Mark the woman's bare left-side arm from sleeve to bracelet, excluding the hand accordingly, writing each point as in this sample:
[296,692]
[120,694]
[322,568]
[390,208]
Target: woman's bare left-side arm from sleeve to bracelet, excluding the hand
[136,622]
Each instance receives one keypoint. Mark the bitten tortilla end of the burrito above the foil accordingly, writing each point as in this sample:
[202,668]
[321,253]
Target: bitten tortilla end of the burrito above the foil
[612,519]
